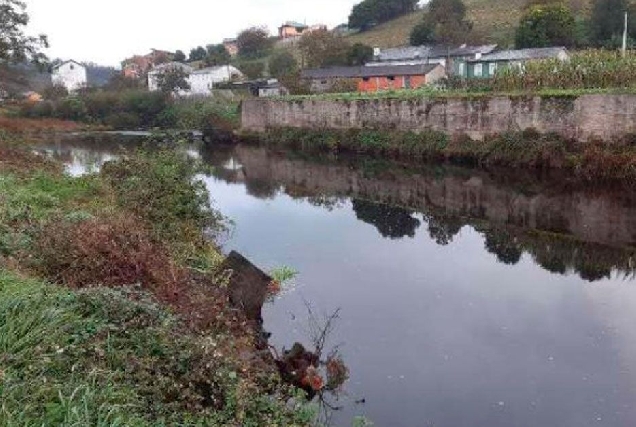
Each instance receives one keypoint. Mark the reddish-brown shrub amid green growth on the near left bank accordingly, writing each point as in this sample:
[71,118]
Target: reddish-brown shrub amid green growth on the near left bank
[117,251]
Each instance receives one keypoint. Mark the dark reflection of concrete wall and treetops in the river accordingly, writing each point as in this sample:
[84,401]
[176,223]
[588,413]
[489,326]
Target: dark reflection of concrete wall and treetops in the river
[590,234]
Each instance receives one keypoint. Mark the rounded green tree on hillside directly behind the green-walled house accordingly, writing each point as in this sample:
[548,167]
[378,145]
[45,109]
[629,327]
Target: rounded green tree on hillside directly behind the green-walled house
[546,25]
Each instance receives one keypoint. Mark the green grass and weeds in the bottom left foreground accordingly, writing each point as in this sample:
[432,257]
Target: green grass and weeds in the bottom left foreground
[98,357]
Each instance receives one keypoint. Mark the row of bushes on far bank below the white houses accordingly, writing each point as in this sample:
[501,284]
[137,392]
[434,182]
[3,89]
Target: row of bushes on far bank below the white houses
[135,109]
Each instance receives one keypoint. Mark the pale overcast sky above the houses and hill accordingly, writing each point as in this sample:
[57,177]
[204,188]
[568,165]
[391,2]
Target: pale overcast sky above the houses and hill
[107,31]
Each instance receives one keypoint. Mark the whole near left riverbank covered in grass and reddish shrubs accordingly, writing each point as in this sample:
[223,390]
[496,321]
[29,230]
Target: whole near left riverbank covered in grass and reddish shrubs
[114,305]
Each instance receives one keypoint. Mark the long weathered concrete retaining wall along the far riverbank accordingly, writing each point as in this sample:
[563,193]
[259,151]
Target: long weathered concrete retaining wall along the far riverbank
[601,116]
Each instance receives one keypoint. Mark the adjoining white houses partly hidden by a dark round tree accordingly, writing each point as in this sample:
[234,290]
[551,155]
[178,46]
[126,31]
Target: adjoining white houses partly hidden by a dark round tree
[201,81]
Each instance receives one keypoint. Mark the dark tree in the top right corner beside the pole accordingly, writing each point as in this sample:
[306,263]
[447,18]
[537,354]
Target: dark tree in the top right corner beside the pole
[607,21]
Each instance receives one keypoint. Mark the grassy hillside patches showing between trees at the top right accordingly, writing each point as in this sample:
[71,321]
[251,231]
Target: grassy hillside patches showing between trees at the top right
[494,22]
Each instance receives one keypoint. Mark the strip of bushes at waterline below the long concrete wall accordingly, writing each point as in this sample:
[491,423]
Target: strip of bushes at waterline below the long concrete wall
[594,161]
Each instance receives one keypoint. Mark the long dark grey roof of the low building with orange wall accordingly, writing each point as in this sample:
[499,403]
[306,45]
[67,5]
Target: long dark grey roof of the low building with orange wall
[366,71]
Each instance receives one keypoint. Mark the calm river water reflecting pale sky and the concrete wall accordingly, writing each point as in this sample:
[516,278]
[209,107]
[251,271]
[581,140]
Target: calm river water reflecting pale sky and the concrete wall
[466,298]
